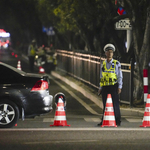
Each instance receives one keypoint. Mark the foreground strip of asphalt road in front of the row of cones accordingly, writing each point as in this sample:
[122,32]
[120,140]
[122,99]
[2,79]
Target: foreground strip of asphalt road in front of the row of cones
[70,139]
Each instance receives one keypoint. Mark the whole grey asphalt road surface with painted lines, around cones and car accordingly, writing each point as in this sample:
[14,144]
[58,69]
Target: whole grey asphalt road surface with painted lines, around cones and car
[82,115]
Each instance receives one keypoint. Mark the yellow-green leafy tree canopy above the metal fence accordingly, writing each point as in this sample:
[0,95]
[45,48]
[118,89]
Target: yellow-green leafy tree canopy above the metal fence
[91,22]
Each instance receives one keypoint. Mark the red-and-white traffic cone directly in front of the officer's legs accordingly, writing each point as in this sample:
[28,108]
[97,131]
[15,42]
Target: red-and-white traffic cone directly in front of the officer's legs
[109,117]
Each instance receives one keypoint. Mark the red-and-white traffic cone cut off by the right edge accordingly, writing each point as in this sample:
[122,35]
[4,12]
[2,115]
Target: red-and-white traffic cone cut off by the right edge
[146,118]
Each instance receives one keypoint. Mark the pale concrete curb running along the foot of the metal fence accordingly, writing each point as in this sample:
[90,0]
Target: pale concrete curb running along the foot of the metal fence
[97,100]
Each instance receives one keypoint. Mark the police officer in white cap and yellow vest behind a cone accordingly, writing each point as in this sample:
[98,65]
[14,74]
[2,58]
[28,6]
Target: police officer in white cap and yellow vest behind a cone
[111,81]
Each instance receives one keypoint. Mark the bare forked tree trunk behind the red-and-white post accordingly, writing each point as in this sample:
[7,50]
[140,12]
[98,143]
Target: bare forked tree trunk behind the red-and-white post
[142,61]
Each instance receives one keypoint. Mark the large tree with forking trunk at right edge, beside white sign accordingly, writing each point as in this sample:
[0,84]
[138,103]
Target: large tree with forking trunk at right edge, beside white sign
[139,14]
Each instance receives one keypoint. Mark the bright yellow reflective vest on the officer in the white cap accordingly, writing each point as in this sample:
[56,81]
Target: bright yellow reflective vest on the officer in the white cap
[109,76]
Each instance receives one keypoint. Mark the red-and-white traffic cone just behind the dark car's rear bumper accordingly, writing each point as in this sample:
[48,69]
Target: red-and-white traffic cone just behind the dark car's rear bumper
[60,115]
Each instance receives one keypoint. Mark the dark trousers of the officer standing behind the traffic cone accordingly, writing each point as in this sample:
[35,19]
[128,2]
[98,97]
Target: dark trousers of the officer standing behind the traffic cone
[113,90]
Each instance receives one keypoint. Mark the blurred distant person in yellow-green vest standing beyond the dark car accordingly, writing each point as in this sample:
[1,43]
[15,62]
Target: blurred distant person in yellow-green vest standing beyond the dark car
[31,54]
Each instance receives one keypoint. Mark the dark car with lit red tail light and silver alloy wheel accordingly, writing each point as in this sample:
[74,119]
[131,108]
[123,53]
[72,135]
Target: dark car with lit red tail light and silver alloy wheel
[22,95]
